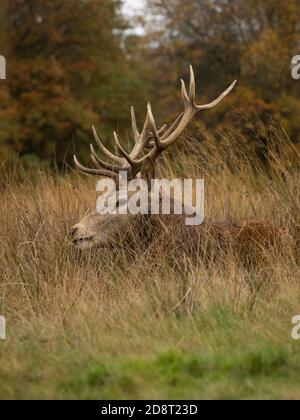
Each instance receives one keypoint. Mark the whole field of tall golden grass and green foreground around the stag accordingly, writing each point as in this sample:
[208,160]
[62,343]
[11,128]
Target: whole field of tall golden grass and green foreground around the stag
[109,324]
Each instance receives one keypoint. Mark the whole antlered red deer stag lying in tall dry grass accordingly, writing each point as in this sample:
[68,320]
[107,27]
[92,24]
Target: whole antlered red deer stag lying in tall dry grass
[113,230]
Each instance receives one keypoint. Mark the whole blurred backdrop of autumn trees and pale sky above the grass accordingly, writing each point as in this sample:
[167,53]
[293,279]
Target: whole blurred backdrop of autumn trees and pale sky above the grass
[72,64]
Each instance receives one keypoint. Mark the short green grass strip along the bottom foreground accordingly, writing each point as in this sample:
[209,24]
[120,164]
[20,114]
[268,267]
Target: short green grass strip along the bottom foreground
[231,359]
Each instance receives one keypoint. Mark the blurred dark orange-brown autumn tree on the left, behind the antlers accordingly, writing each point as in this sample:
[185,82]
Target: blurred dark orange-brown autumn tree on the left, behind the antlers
[67,70]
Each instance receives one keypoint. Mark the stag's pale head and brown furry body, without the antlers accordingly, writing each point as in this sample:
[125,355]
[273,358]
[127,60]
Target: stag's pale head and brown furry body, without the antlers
[249,241]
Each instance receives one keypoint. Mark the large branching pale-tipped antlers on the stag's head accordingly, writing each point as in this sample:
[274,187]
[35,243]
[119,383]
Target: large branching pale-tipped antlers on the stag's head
[157,140]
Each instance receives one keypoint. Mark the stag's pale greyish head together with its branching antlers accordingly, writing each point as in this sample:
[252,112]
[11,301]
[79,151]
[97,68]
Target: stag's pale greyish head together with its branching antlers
[110,229]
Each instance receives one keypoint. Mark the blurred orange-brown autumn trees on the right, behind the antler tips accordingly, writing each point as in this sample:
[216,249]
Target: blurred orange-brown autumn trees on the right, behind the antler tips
[251,40]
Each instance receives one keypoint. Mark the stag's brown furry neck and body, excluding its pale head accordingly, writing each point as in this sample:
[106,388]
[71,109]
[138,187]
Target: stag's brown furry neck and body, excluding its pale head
[248,240]
